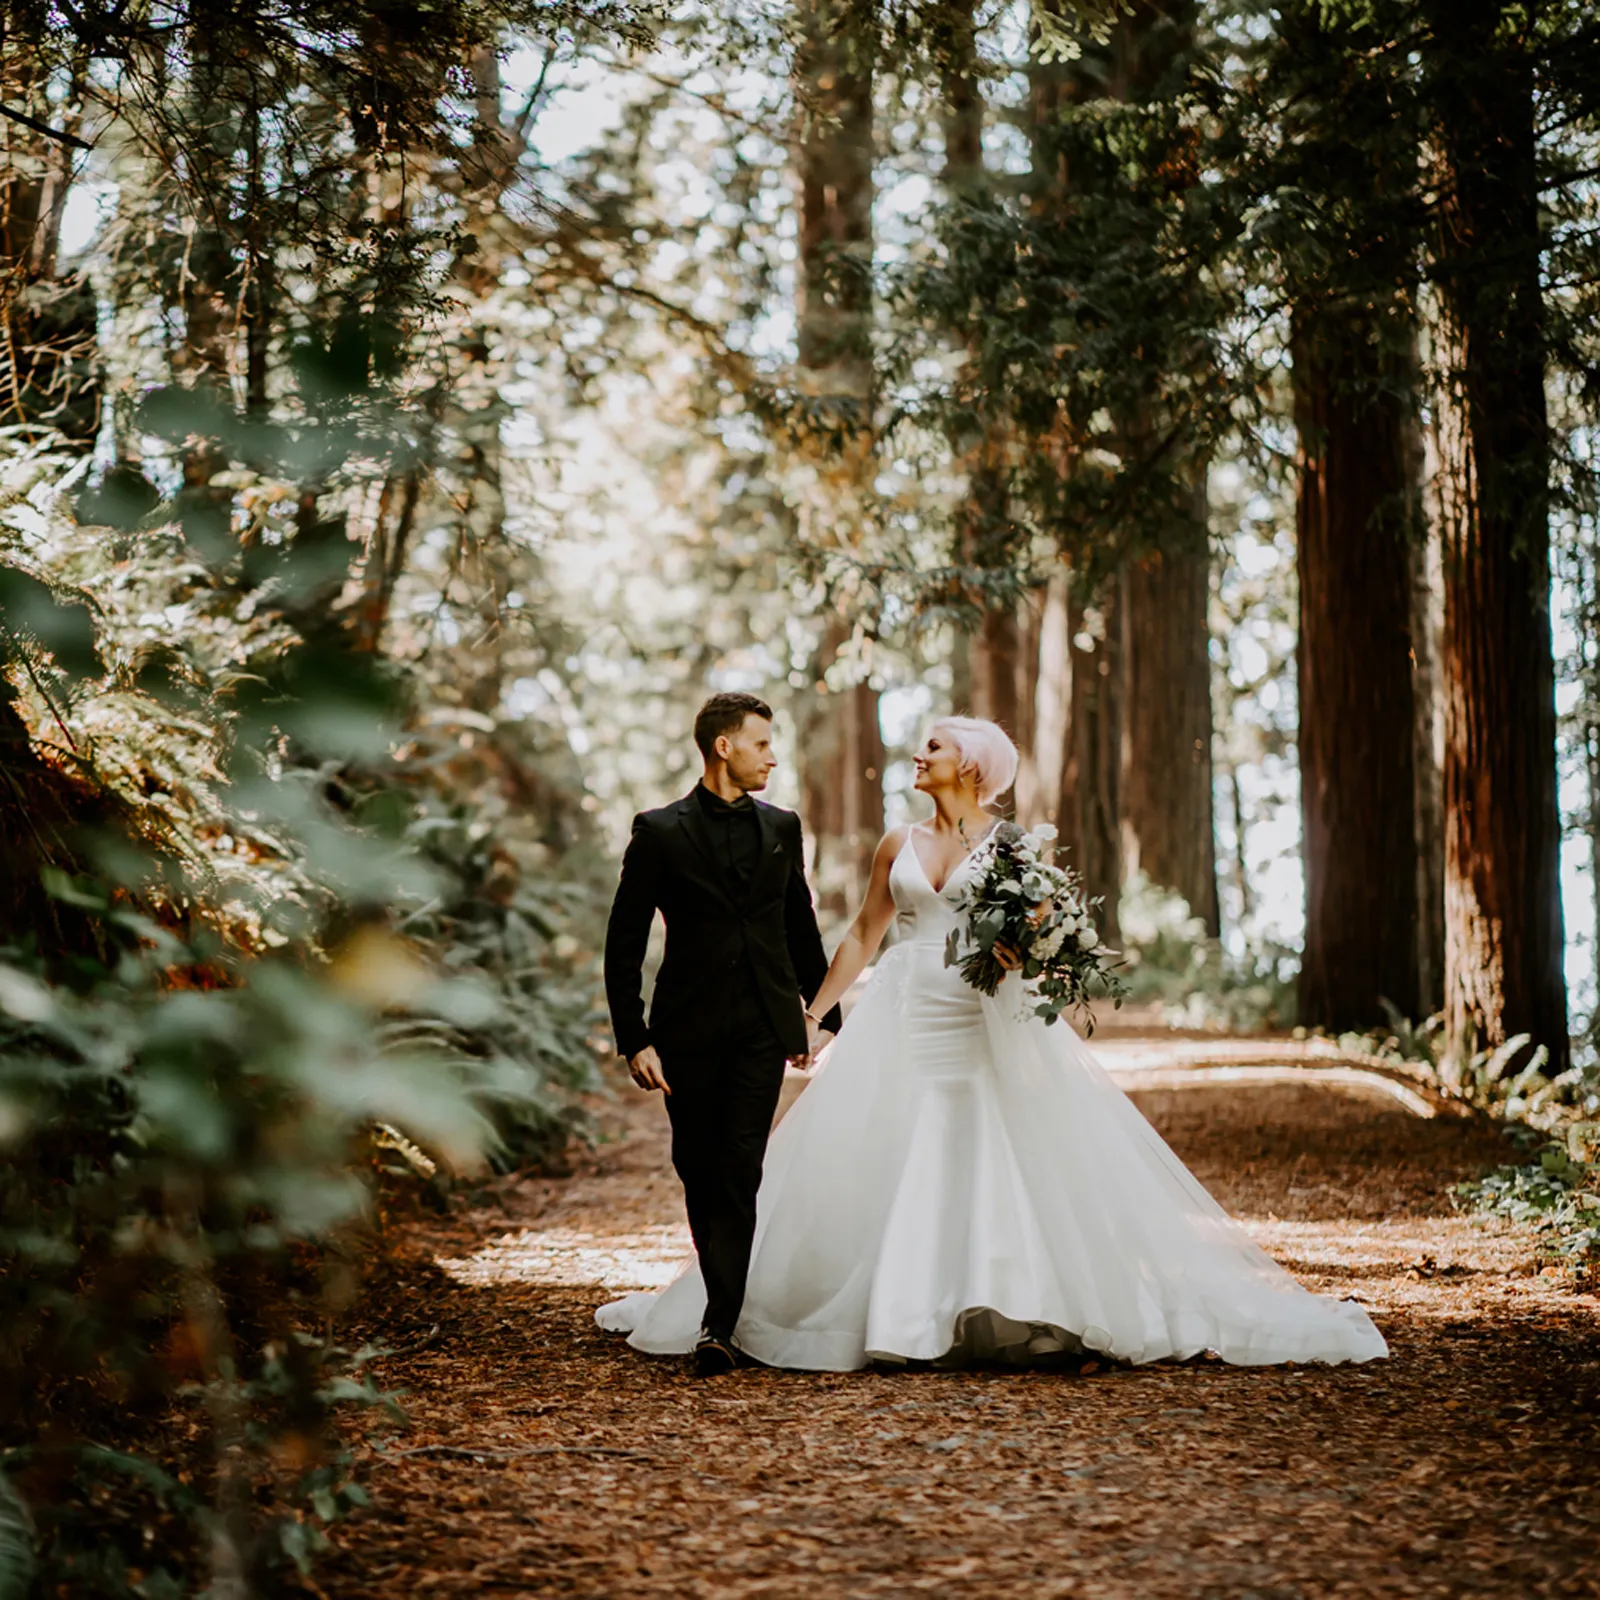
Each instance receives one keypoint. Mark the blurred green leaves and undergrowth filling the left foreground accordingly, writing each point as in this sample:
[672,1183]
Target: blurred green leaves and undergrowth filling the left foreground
[258,948]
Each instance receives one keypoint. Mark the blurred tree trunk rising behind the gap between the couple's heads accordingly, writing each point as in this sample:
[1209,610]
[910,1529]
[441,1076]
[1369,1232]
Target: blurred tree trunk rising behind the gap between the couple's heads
[842,746]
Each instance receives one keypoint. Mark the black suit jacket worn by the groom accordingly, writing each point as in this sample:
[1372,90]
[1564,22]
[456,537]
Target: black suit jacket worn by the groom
[722,937]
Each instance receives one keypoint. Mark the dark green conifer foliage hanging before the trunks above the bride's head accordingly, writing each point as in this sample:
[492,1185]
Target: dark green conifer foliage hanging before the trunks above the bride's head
[1095,319]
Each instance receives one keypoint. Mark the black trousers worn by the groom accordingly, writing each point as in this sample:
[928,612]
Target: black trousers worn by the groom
[722,1108]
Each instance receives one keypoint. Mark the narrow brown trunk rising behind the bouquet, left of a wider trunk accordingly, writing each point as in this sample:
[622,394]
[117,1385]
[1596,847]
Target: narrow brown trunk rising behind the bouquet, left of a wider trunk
[1090,809]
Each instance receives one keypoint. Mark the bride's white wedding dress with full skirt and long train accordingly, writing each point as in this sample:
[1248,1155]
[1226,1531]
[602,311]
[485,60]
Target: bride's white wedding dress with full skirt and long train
[966,1183]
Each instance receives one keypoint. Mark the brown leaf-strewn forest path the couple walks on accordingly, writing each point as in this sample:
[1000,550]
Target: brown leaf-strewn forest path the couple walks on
[546,1458]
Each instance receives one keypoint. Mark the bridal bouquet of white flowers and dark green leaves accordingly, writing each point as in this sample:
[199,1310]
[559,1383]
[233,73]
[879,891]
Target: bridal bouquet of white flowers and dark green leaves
[1025,905]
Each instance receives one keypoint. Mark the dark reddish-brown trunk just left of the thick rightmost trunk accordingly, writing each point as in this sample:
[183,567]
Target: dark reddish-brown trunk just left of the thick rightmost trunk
[1356,708]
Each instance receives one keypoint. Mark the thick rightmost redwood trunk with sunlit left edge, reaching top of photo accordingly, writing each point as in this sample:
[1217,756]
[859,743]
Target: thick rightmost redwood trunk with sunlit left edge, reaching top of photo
[1503,900]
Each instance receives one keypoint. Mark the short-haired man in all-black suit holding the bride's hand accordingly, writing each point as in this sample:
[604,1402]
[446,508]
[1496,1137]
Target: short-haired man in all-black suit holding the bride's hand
[743,959]
